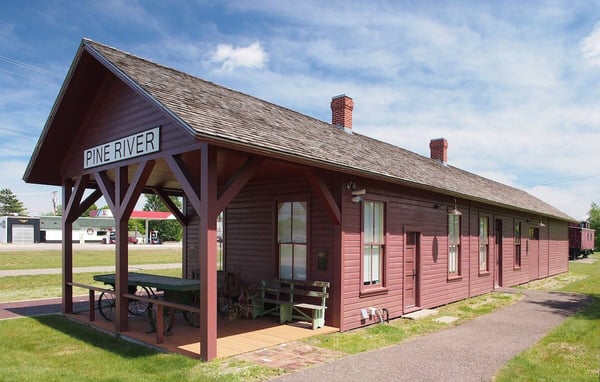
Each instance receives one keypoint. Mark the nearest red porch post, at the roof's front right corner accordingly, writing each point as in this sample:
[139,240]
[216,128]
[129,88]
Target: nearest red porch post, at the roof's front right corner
[208,253]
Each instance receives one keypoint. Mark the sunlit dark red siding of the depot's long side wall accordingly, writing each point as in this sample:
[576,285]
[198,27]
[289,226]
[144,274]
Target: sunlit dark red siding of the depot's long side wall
[411,211]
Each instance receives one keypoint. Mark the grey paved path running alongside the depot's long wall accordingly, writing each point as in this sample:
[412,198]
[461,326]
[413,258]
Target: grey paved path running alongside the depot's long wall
[474,351]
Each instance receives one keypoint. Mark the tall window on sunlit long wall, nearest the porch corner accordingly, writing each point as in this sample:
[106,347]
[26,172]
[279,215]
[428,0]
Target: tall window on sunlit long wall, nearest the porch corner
[373,242]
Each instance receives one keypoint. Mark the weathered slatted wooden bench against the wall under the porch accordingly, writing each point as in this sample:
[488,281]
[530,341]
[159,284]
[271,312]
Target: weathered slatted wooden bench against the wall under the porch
[303,300]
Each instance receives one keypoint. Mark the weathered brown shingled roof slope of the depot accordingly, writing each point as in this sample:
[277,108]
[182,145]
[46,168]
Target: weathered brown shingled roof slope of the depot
[214,112]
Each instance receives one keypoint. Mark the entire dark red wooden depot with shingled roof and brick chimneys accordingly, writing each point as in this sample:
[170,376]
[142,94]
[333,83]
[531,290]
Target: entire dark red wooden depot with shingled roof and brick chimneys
[301,198]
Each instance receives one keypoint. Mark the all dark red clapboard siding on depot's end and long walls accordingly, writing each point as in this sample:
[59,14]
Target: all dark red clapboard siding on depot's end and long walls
[251,249]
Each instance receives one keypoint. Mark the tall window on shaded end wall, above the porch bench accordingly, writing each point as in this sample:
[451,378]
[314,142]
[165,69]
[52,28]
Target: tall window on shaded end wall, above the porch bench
[292,218]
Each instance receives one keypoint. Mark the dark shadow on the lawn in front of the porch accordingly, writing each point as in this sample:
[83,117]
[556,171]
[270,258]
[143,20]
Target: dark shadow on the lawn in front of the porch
[94,337]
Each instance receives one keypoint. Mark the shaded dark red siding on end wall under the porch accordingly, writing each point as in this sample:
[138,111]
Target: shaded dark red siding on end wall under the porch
[250,231]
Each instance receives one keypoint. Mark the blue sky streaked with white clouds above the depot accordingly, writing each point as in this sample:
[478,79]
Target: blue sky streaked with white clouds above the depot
[513,86]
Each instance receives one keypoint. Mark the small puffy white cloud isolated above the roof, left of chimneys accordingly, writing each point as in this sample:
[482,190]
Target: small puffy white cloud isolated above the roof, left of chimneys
[251,56]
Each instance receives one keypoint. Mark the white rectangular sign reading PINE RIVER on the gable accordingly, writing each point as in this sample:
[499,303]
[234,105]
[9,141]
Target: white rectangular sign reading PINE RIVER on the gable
[132,146]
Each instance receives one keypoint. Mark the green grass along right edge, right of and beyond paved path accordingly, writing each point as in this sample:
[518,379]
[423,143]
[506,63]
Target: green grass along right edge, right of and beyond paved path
[570,352]
